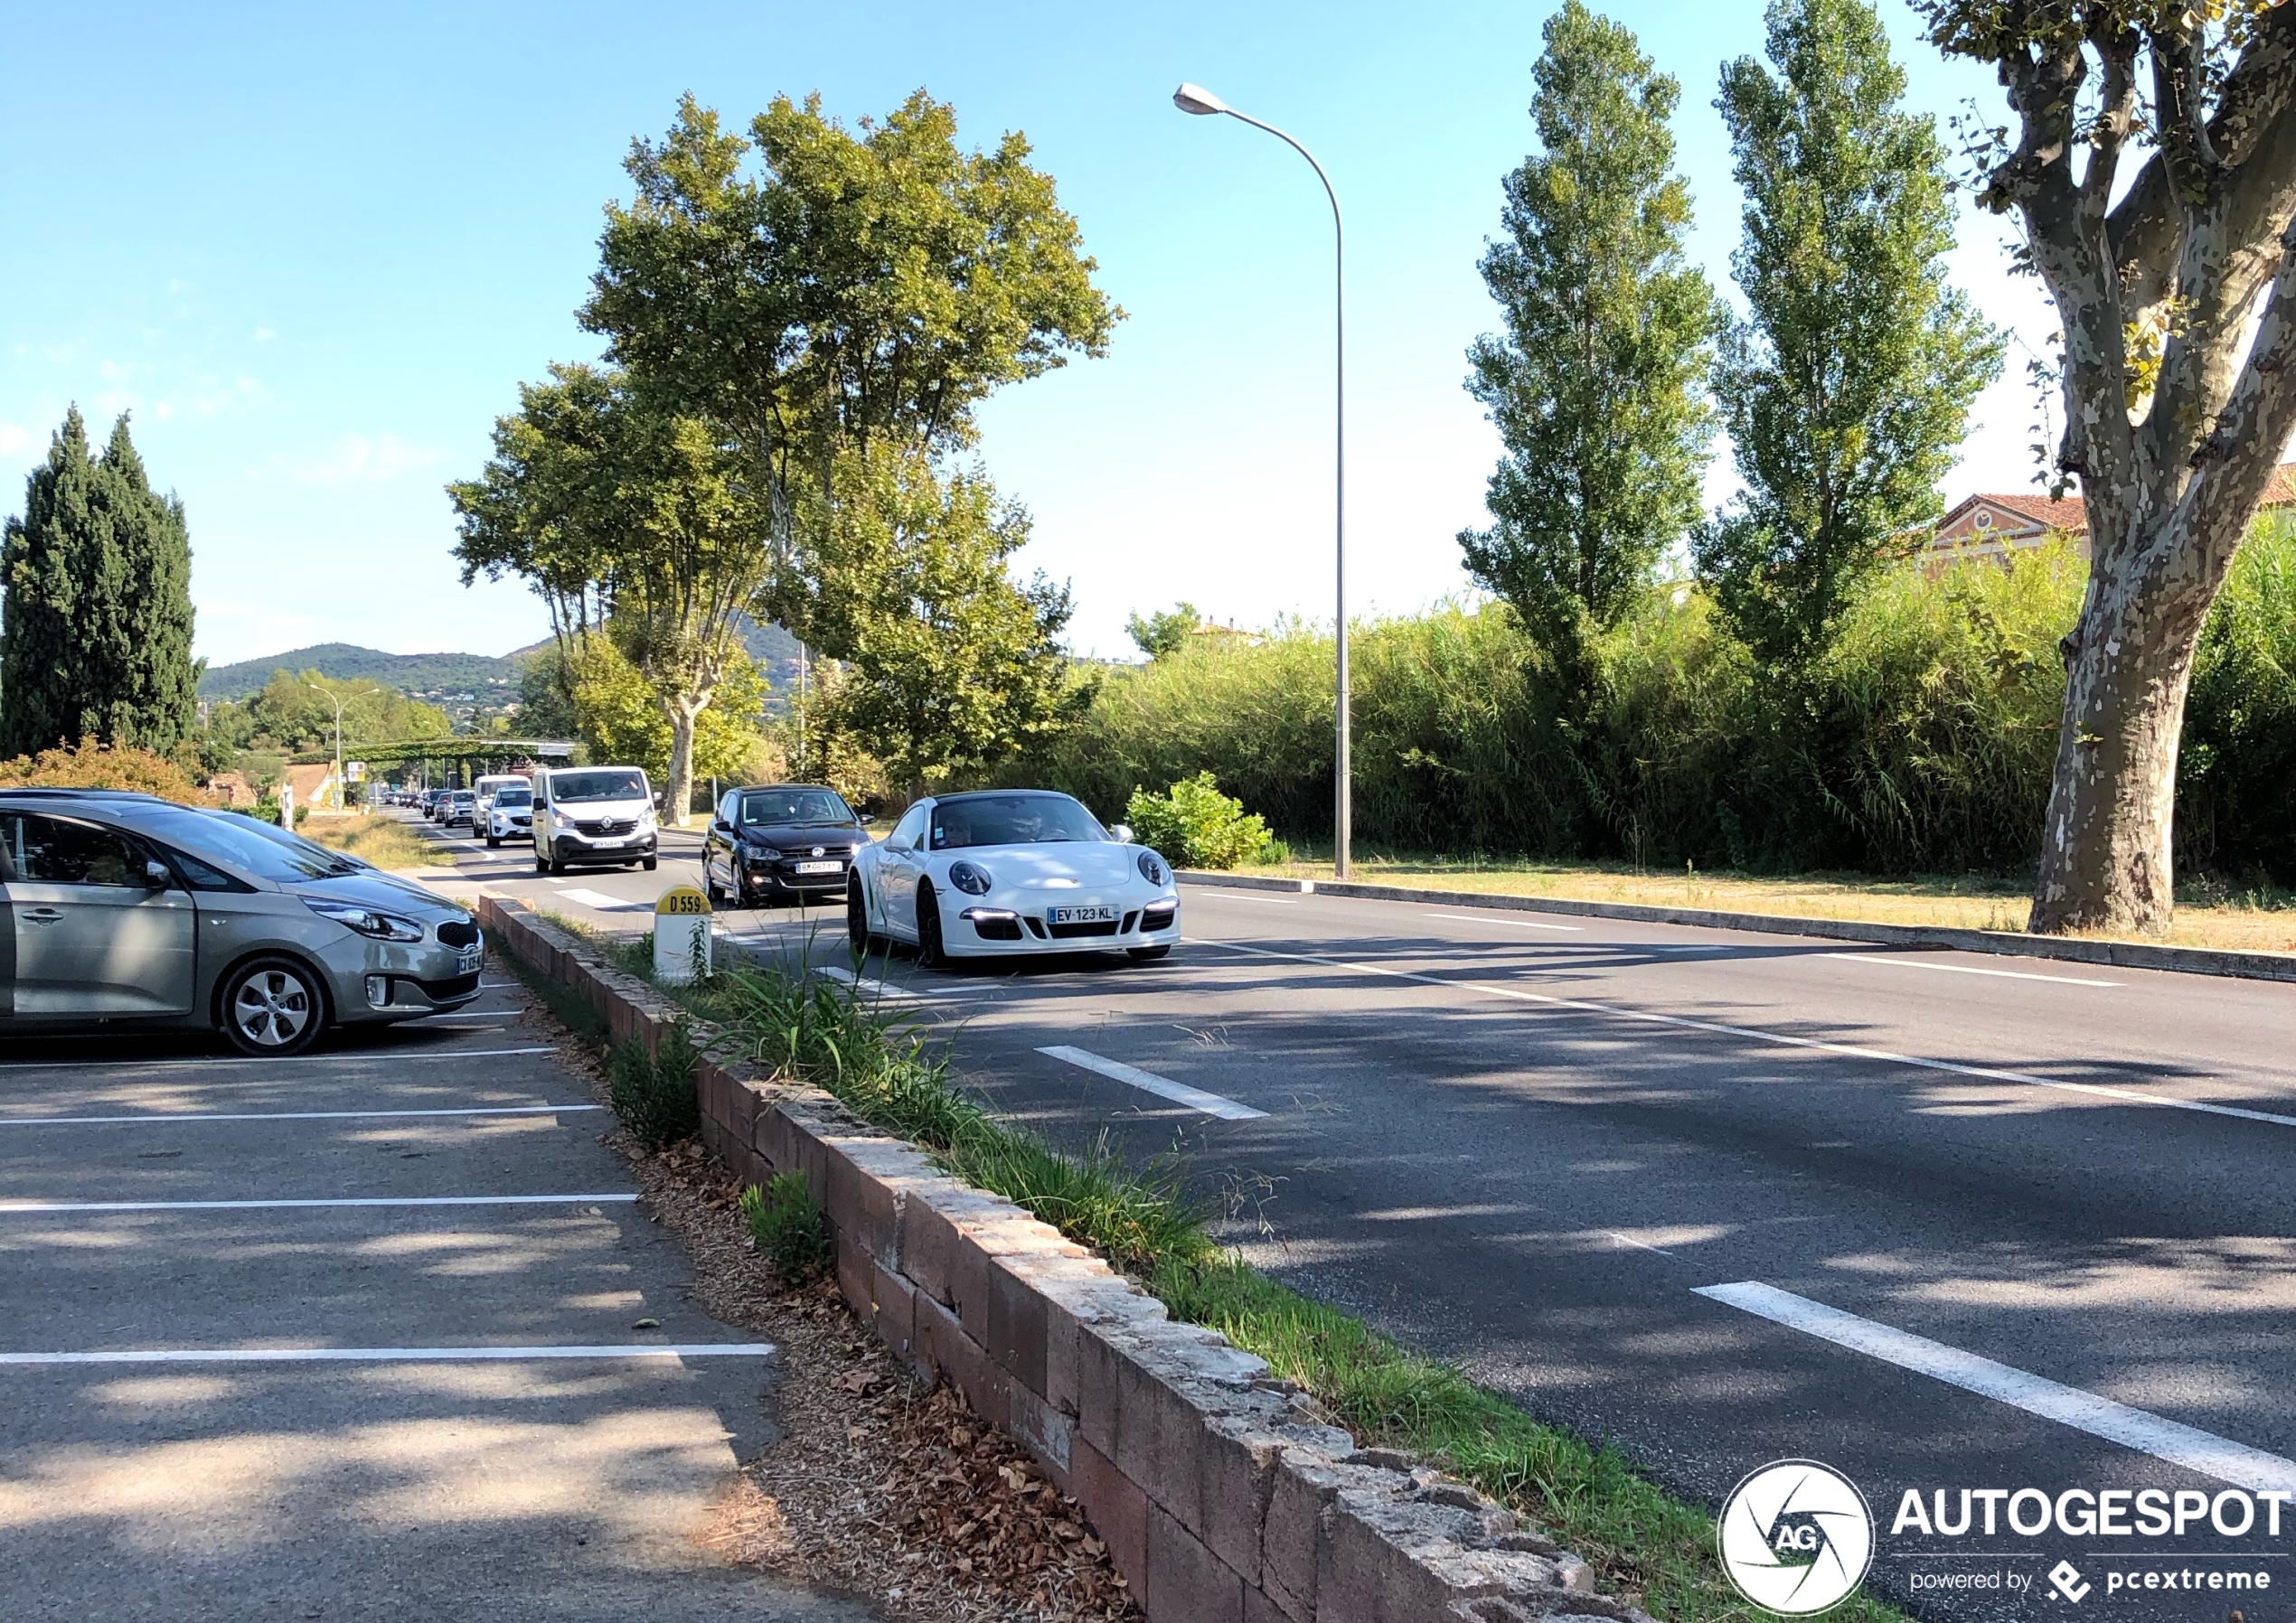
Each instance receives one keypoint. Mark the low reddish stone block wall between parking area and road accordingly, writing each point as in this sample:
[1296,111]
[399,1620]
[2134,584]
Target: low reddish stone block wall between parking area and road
[1218,1489]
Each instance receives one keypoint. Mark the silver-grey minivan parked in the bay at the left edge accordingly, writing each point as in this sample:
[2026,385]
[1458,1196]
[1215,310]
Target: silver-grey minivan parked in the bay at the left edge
[134,913]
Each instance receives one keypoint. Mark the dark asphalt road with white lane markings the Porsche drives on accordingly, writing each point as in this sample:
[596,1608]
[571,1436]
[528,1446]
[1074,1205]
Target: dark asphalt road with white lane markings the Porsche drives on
[1976,1222]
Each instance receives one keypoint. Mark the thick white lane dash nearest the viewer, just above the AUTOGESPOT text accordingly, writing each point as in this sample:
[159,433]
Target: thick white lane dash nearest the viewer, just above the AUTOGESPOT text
[2084,1411]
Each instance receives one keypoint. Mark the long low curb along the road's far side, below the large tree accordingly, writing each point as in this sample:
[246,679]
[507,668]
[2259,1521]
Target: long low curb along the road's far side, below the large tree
[2185,961]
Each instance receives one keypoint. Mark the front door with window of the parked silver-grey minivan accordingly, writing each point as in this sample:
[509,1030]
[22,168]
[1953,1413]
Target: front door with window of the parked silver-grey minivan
[98,933]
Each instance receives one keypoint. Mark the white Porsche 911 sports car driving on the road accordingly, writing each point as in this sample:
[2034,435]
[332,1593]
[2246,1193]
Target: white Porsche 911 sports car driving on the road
[1011,873]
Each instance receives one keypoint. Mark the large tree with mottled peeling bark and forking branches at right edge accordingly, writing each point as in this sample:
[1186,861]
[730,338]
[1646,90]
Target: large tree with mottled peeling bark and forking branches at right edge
[2178,295]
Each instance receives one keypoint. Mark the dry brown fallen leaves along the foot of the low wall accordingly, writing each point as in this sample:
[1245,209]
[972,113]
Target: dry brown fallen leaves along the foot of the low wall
[878,1486]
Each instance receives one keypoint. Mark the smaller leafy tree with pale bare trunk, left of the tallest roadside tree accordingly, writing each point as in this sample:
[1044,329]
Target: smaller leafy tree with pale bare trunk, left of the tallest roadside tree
[633,525]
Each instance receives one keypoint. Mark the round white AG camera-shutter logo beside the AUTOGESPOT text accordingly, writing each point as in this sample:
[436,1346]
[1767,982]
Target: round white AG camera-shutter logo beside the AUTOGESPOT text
[1797,1537]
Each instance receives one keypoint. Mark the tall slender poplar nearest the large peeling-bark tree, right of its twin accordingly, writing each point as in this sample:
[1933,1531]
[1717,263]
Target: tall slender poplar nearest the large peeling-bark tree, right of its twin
[1849,387]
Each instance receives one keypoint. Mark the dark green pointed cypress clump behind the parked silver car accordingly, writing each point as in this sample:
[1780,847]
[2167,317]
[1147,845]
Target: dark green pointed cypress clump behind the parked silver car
[95,635]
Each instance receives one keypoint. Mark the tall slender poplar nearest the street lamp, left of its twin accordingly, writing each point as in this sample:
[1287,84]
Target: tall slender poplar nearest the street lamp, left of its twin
[1595,387]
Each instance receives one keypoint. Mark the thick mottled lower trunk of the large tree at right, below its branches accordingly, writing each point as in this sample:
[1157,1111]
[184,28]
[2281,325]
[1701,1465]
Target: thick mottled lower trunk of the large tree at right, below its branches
[2107,846]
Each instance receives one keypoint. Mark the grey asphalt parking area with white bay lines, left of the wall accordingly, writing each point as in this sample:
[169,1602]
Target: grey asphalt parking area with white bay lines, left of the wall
[396,1202]
